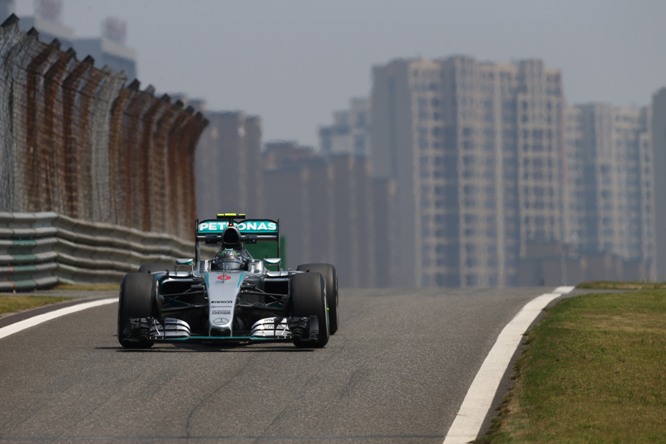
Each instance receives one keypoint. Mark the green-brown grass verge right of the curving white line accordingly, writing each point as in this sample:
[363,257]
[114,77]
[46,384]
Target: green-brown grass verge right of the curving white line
[594,370]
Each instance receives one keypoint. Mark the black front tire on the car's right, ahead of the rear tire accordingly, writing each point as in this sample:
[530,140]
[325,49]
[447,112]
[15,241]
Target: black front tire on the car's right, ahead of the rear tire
[307,298]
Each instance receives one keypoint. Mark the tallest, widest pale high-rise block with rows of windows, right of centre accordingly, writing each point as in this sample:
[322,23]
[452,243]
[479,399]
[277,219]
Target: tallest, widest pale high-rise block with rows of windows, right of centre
[475,150]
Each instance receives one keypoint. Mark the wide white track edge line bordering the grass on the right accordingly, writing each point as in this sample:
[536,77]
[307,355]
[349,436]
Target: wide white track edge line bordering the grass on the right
[477,402]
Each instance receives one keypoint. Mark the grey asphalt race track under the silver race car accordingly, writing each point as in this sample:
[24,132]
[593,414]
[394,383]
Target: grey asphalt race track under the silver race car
[398,370]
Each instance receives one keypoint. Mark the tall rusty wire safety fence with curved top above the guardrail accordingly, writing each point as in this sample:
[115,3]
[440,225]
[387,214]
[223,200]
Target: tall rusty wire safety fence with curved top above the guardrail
[78,142]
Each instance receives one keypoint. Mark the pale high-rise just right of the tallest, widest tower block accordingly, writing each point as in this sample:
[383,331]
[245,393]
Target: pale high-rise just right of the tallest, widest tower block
[608,190]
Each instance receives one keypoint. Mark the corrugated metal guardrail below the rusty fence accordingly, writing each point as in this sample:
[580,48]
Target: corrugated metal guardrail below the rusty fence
[40,250]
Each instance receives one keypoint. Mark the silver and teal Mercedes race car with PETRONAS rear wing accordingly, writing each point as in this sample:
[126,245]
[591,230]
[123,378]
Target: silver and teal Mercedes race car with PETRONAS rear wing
[230,297]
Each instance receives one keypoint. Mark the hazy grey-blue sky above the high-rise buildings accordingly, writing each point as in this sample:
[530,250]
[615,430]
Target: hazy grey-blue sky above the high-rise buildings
[294,62]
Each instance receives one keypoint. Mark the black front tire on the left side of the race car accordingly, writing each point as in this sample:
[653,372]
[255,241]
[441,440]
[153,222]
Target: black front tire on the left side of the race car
[136,308]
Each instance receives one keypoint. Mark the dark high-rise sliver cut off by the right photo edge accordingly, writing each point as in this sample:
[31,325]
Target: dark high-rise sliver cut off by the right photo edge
[658,142]
